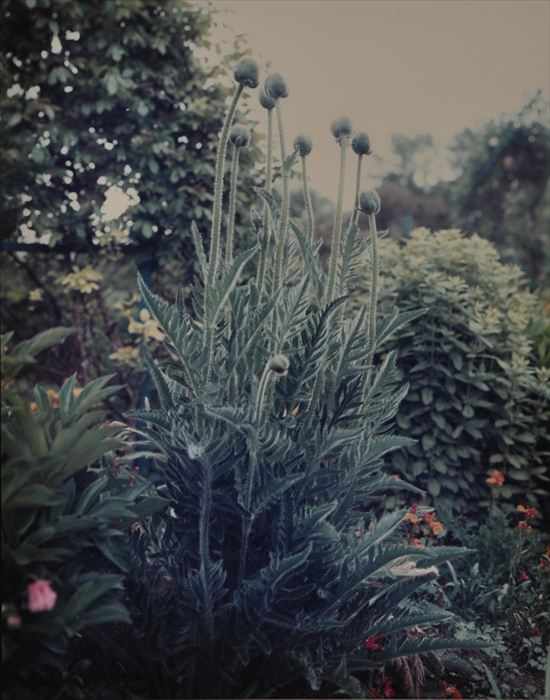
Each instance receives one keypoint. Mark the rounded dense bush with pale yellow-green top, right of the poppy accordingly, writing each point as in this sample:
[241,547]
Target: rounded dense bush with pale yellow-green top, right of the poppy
[478,405]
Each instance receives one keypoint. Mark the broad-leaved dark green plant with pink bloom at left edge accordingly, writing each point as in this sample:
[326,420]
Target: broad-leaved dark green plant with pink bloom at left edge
[61,539]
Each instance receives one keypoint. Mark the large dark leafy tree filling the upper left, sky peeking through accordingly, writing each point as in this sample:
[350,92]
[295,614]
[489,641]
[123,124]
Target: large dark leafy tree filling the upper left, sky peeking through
[103,98]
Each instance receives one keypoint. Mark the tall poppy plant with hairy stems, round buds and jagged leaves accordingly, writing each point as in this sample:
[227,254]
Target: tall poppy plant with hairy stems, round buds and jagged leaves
[270,569]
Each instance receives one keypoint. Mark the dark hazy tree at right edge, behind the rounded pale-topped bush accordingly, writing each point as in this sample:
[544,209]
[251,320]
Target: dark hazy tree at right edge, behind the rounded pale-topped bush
[503,190]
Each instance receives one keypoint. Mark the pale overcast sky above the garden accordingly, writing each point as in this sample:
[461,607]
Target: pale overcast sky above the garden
[404,66]
